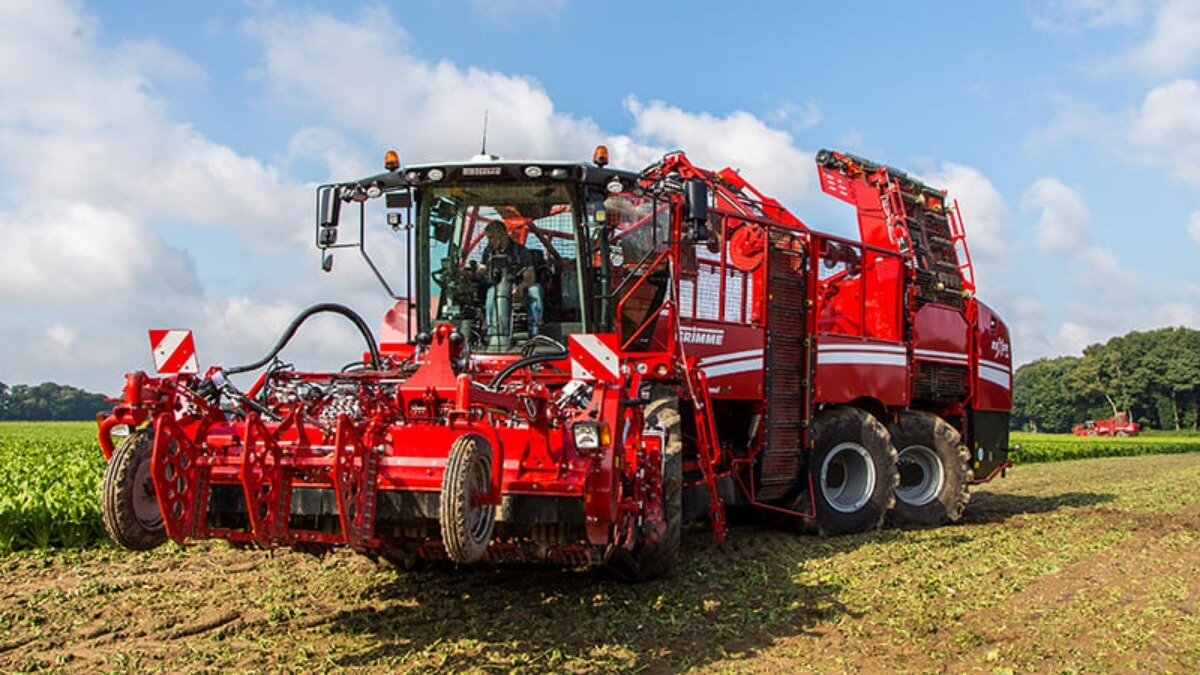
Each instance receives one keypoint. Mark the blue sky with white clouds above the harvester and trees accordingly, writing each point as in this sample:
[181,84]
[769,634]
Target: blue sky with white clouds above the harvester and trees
[159,159]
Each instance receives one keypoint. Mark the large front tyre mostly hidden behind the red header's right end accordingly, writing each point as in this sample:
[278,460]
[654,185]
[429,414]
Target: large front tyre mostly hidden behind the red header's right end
[651,560]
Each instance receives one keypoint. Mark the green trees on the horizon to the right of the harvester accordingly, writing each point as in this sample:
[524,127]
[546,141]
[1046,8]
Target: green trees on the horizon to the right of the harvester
[1155,375]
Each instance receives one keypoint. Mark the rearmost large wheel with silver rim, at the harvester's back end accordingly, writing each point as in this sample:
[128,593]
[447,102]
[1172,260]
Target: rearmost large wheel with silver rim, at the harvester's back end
[934,469]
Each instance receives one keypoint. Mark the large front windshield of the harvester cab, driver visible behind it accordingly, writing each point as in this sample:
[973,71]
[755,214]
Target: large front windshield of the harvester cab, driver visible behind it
[501,261]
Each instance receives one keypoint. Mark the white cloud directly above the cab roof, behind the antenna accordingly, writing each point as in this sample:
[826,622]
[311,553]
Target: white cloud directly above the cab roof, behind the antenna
[435,111]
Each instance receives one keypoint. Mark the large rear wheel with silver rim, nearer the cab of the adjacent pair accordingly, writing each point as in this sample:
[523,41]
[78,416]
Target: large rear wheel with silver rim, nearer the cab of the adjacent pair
[854,469]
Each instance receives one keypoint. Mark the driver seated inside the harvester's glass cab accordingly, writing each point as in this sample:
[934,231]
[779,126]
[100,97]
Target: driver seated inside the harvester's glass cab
[508,265]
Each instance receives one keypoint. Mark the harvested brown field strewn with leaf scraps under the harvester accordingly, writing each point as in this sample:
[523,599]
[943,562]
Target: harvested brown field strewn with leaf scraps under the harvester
[1091,565]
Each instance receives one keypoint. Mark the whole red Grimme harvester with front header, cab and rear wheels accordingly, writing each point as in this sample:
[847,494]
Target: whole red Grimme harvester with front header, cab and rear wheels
[586,359]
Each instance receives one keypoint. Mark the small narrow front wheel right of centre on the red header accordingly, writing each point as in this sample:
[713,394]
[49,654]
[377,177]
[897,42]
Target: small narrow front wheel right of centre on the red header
[467,527]
